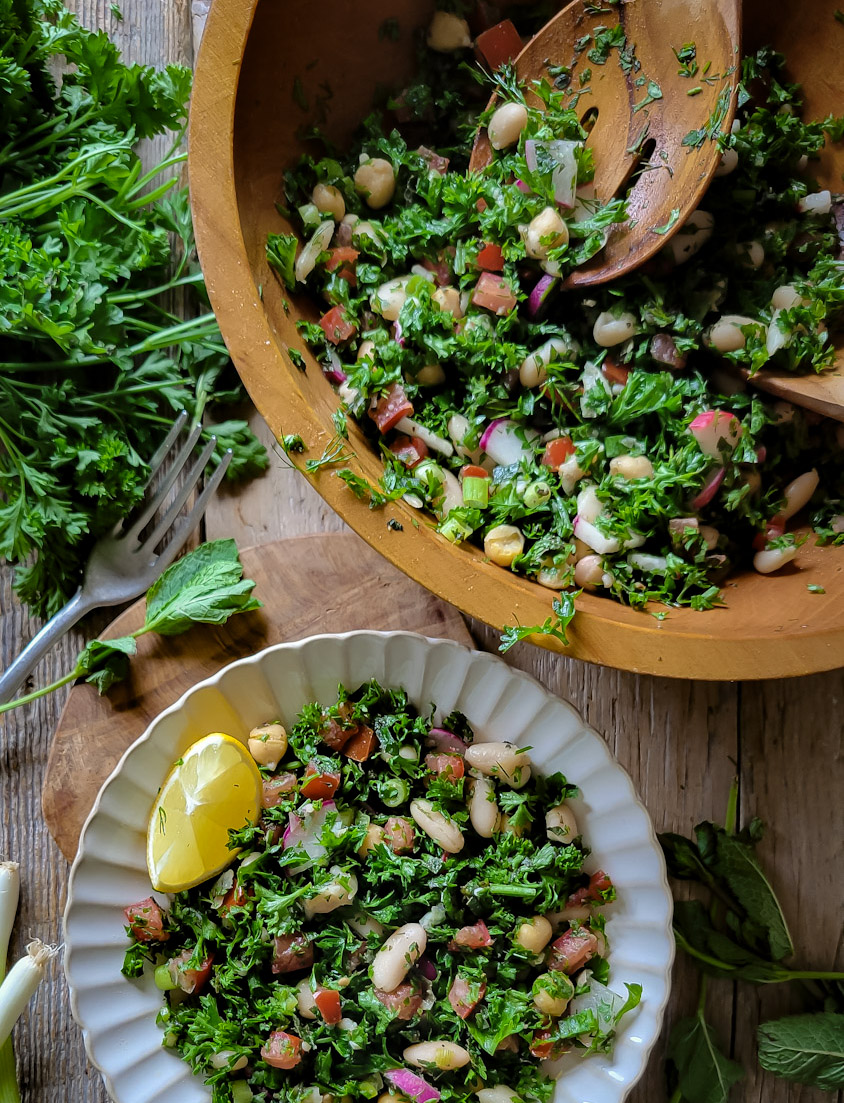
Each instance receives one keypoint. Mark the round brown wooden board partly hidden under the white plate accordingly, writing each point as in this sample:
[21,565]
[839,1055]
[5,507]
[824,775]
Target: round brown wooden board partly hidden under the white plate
[308,585]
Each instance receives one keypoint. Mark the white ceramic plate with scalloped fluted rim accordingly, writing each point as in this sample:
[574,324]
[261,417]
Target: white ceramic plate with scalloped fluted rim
[117,1016]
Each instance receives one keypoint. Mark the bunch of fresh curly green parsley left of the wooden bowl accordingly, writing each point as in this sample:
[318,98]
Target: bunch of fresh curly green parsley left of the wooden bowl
[95,256]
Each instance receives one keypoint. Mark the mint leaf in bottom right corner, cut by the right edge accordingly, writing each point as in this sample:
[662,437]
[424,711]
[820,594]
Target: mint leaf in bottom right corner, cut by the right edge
[807,1050]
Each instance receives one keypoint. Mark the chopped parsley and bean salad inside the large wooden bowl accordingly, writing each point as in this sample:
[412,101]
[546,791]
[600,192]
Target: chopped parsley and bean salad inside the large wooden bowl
[600,440]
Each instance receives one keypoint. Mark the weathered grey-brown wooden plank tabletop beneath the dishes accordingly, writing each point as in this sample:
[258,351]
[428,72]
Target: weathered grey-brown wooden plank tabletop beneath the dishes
[681,742]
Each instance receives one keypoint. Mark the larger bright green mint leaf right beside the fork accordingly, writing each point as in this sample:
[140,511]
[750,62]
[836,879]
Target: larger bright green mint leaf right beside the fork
[206,586]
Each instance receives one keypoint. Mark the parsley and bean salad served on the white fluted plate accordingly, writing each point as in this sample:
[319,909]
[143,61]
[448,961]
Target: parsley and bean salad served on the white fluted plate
[411,919]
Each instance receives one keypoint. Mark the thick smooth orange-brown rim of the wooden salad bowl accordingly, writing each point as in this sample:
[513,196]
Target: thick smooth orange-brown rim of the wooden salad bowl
[687,645]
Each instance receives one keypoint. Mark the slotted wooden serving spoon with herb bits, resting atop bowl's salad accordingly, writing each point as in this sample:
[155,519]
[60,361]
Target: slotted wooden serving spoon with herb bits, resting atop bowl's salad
[646,114]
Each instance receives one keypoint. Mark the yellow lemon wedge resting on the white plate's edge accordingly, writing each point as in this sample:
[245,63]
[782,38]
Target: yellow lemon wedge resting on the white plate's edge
[213,788]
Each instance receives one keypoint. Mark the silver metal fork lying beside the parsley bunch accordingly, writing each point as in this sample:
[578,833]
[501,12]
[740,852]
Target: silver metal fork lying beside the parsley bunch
[122,566]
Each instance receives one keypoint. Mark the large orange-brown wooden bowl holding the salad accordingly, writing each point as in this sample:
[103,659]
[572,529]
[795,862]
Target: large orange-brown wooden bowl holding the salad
[245,125]
